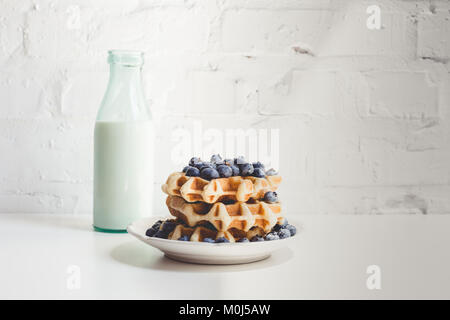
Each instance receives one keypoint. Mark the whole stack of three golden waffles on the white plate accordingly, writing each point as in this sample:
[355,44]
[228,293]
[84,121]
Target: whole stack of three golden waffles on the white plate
[233,208]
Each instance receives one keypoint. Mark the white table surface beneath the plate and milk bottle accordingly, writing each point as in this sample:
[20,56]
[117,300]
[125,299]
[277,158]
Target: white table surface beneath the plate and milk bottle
[328,259]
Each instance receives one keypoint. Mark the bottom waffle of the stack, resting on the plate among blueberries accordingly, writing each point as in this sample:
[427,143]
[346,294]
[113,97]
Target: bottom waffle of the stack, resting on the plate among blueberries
[199,233]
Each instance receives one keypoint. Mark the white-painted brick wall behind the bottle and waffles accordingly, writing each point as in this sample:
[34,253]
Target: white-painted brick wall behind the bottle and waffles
[363,114]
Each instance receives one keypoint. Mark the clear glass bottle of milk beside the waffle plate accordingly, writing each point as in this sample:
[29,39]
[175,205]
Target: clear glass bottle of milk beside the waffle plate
[123,147]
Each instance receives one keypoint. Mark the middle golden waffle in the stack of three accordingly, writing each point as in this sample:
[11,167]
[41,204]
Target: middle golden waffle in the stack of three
[238,215]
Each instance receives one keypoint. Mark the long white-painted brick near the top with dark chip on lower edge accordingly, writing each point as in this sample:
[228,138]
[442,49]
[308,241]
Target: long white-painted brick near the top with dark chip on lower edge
[318,32]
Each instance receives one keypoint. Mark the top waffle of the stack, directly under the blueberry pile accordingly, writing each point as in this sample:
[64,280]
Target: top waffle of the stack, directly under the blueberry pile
[236,188]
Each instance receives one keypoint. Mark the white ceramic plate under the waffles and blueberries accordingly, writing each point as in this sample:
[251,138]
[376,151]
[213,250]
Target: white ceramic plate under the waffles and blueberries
[206,253]
